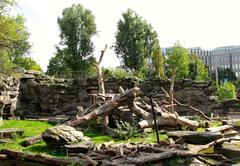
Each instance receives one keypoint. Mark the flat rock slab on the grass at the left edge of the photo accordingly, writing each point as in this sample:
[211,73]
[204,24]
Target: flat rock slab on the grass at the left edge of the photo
[11,132]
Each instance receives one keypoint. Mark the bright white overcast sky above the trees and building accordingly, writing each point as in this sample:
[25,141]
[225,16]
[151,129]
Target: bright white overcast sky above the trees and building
[195,23]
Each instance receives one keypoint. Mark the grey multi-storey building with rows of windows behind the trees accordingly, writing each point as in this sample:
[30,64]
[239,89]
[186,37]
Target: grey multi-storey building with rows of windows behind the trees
[227,57]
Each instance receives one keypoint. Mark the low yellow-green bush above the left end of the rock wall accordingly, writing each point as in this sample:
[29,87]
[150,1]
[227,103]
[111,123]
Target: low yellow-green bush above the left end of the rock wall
[27,63]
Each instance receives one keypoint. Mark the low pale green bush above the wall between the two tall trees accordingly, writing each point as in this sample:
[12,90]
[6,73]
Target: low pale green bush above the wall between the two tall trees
[116,72]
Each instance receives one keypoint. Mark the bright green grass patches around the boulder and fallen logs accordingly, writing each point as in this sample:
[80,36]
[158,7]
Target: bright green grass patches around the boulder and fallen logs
[32,128]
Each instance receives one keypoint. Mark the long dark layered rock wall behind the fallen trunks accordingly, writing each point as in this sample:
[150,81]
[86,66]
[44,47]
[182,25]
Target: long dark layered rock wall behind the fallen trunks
[43,96]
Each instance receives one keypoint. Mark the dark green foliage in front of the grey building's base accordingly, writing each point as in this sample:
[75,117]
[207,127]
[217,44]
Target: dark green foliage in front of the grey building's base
[224,74]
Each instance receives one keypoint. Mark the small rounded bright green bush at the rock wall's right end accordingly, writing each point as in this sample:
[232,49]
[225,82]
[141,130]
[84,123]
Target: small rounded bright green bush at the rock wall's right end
[226,91]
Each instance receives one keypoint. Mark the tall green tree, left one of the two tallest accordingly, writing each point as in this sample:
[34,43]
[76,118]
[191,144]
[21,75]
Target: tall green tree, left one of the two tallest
[77,27]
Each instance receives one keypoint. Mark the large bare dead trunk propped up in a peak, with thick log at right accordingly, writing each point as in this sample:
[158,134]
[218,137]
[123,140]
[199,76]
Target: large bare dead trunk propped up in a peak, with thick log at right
[128,98]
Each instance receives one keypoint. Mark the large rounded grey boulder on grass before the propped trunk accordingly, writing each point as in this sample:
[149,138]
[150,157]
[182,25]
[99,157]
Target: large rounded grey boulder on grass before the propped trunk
[59,136]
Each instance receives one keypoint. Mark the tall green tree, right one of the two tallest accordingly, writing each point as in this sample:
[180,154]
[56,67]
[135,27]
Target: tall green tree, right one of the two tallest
[135,41]
